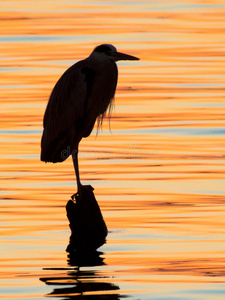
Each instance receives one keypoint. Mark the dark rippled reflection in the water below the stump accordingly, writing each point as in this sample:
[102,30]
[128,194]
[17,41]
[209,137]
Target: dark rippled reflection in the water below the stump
[77,282]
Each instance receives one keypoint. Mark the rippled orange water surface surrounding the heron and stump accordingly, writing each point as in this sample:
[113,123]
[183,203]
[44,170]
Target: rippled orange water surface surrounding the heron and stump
[158,177]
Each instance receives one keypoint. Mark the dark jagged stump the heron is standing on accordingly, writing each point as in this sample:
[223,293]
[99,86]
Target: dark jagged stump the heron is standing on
[86,222]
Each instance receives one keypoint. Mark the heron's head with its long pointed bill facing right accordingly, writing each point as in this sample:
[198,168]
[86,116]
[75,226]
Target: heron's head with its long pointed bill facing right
[109,52]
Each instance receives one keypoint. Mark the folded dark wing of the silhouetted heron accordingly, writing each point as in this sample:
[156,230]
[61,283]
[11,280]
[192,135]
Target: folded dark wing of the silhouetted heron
[65,108]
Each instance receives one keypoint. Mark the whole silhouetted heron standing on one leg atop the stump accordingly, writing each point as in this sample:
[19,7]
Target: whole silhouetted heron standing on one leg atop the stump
[82,95]
